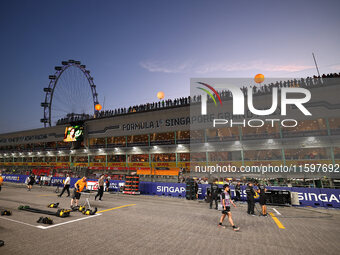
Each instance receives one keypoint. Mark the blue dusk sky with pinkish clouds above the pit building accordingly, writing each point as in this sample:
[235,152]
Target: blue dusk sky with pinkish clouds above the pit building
[136,48]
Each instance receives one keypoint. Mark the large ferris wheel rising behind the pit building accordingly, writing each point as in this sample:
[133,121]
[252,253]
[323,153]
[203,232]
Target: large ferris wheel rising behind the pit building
[71,92]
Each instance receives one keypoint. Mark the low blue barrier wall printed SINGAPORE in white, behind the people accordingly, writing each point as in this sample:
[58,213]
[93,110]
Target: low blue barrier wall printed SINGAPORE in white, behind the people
[319,197]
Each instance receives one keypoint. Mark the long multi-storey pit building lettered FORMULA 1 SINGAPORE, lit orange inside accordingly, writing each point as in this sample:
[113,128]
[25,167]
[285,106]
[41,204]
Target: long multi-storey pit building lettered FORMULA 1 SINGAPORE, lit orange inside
[154,140]
